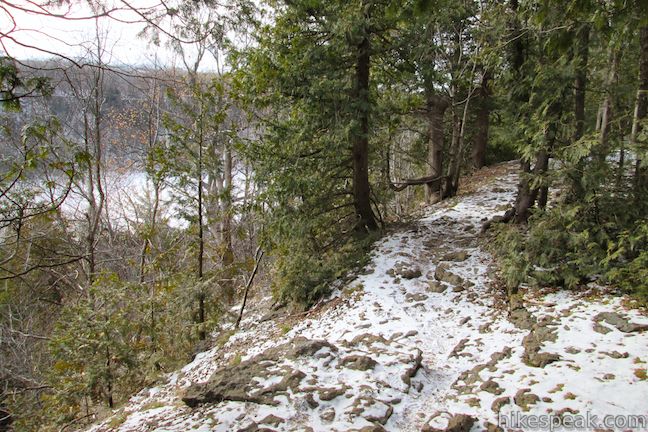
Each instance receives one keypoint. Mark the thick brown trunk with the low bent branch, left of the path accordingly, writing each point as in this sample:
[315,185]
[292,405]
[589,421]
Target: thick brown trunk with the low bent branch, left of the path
[436,107]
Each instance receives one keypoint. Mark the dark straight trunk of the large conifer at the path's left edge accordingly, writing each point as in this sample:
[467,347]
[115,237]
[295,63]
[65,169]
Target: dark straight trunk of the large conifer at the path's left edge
[360,144]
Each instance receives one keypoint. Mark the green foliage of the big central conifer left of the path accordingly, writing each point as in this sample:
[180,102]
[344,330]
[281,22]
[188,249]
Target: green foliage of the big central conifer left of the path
[303,72]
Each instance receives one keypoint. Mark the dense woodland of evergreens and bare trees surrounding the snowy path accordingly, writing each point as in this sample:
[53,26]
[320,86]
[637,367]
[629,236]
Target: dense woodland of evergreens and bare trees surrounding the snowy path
[335,121]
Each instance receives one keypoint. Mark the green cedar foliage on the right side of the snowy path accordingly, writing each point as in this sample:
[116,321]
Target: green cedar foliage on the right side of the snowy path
[595,229]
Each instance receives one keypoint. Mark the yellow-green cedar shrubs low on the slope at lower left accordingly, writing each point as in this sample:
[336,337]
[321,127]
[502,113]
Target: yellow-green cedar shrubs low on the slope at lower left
[118,338]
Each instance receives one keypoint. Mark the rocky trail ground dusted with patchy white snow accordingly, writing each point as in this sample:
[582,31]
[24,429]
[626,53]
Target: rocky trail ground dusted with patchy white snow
[420,341]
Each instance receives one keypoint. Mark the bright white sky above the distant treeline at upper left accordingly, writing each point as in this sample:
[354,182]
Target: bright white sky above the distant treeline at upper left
[72,38]
